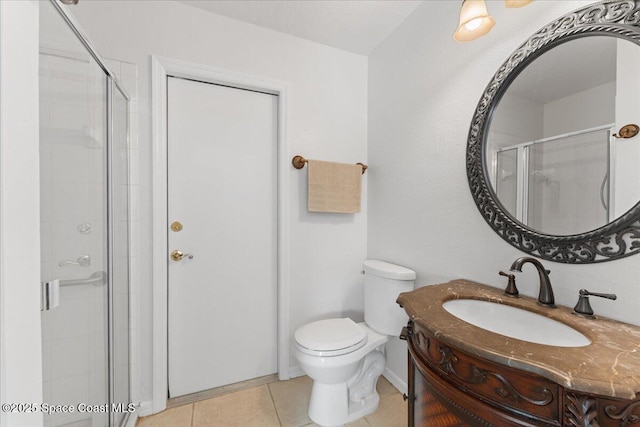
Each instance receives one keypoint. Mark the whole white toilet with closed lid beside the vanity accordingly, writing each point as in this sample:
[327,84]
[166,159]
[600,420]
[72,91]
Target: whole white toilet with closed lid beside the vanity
[344,358]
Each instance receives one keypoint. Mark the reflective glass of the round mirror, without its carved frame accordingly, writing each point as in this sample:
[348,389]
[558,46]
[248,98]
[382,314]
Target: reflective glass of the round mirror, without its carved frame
[552,160]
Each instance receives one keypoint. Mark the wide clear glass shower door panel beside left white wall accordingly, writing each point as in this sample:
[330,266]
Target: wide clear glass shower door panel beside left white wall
[74,223]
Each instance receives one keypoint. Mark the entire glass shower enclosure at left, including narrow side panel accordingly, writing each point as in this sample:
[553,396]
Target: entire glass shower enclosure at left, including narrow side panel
[84,173]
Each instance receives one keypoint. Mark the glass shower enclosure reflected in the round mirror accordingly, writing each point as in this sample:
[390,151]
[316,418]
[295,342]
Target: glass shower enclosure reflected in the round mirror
[558,185]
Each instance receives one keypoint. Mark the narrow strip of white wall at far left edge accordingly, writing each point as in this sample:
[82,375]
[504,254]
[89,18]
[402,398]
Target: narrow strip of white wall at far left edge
[20,347]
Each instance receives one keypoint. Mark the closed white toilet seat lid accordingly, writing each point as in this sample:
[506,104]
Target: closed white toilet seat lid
[330,337]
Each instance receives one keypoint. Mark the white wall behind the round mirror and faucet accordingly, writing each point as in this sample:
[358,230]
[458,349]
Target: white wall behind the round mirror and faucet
[423,91]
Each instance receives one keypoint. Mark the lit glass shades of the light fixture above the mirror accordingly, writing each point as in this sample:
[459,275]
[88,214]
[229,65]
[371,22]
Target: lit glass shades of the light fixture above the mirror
[475,21]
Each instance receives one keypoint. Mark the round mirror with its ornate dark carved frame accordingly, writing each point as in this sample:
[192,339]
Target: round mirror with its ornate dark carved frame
[548,165]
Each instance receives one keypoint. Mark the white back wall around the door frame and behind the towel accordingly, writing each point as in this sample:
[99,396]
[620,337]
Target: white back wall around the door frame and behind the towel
[326,120]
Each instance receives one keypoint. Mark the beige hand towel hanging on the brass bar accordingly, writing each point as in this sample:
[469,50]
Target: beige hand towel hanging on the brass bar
[334,187]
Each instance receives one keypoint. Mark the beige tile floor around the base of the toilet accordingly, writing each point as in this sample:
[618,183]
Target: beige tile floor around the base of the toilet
[280,403]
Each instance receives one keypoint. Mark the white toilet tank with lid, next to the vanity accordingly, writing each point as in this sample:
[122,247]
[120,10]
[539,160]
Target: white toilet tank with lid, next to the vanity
[383,282]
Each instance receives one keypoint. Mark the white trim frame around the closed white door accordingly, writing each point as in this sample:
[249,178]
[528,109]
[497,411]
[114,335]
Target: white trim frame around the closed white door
[161,68]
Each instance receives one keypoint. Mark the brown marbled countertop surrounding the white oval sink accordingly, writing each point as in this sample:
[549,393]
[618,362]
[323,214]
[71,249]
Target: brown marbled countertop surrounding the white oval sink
[609,366]
